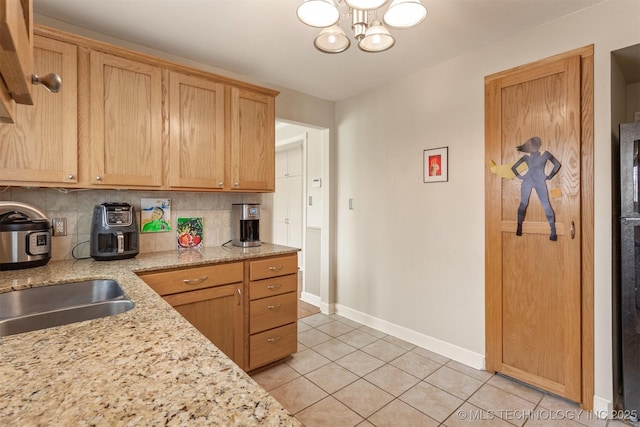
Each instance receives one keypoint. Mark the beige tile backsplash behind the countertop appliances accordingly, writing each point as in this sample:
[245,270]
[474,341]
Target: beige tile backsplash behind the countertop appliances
[77,207]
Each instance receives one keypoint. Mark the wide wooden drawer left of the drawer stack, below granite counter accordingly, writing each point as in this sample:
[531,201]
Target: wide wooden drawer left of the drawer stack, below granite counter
[189,279]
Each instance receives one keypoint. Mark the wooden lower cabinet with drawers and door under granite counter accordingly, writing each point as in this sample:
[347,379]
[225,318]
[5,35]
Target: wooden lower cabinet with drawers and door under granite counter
[213,298]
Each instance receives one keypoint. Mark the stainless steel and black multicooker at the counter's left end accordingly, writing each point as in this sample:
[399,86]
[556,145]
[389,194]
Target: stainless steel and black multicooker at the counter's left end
[25,241]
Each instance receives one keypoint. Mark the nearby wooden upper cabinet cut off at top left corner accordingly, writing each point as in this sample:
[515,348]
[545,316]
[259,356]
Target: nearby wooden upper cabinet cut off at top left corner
[16,56]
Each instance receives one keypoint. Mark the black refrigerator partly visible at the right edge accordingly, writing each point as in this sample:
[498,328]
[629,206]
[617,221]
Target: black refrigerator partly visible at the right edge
[628,298]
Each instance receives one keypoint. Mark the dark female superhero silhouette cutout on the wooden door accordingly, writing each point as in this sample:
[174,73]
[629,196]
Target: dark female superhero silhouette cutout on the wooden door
[535,178]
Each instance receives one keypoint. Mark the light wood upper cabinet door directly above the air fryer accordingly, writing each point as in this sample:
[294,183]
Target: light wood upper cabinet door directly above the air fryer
[125,122]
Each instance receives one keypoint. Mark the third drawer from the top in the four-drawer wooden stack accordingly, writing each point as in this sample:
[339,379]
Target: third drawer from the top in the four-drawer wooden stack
[271,312]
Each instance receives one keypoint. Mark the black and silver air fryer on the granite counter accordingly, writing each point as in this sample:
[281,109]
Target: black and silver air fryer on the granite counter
[114,232]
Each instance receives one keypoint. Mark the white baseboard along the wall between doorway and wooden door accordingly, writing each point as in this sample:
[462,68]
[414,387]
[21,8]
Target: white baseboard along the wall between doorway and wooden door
[454,352]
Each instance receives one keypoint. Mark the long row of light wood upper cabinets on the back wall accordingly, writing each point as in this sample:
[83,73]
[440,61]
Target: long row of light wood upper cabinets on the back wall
[126,120]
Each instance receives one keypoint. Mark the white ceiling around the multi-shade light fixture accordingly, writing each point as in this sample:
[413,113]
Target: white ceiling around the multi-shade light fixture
[263,39]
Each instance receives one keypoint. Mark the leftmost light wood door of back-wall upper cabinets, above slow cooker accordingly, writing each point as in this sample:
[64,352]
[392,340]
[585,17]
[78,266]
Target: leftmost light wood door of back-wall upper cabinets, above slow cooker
[42,145]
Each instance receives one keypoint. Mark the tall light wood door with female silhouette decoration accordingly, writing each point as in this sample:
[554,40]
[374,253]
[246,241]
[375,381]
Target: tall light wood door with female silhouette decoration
[534,284]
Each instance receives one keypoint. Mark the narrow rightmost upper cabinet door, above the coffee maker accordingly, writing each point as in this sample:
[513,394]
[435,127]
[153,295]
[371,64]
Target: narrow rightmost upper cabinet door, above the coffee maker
[252,141]
